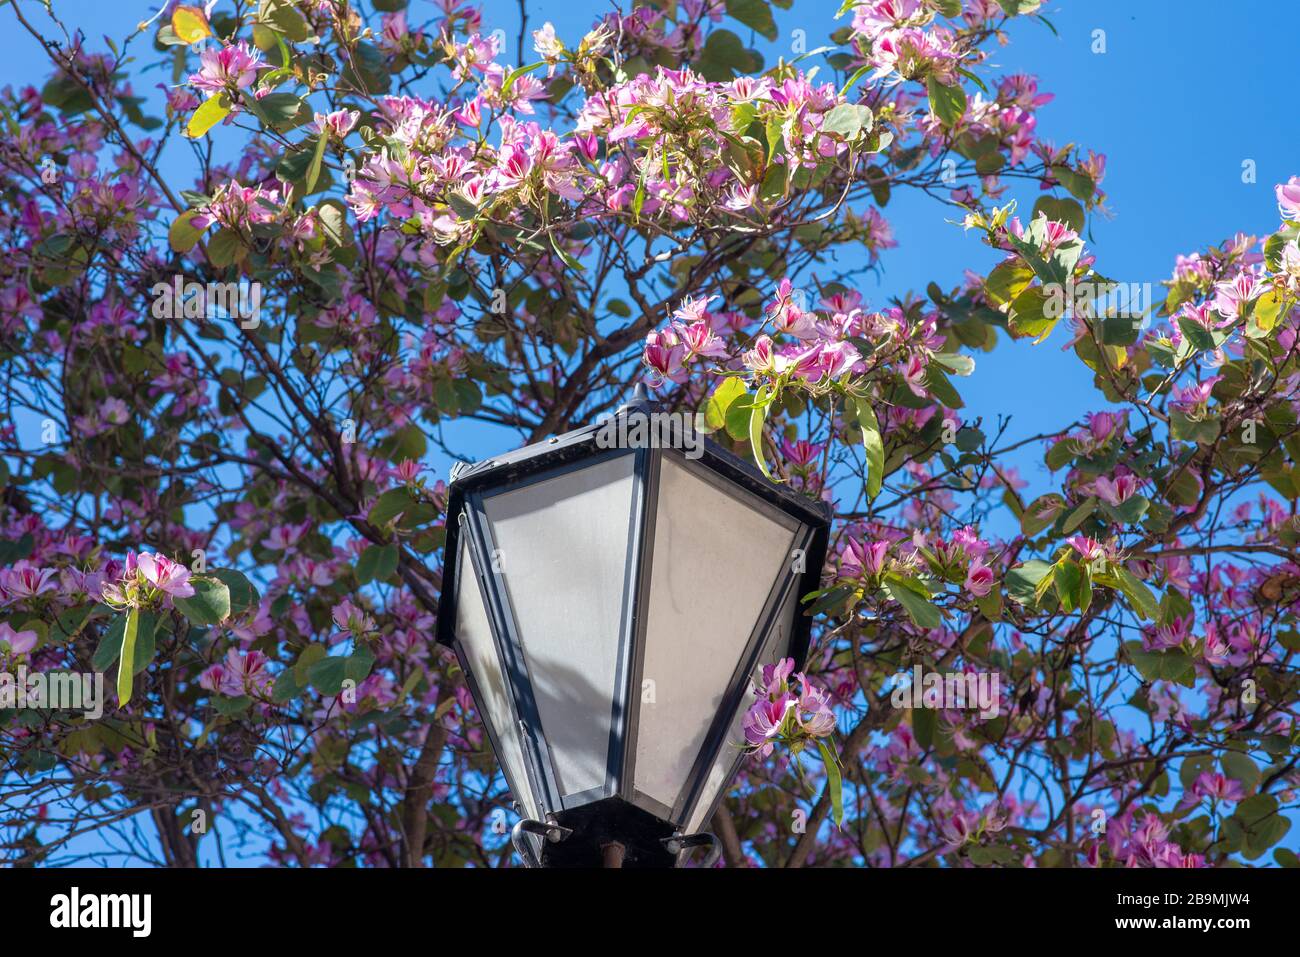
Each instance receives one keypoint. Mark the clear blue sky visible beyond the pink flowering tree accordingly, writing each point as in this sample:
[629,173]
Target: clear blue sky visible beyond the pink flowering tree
[1184,96]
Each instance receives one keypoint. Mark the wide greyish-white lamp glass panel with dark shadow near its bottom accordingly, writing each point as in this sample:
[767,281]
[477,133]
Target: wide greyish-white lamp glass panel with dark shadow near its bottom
[564,551]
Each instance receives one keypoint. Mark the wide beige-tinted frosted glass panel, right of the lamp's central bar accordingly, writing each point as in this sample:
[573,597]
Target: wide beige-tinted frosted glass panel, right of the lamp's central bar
[716,561]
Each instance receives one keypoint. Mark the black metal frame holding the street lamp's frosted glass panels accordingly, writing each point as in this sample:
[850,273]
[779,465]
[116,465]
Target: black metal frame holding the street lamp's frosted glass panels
[578,826]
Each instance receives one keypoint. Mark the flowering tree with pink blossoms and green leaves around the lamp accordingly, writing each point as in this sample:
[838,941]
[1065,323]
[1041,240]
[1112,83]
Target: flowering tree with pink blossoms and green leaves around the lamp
[391,223]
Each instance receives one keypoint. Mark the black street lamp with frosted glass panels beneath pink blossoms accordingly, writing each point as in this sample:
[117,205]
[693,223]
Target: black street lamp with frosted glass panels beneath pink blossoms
[610,594]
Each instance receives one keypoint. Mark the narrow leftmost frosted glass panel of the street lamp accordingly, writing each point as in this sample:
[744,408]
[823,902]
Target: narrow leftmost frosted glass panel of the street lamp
[474,633]
